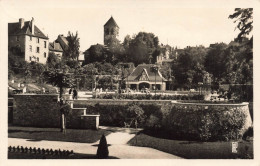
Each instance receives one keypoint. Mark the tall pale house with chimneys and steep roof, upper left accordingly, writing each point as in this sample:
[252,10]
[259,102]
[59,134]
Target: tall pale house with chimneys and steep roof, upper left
[31,41]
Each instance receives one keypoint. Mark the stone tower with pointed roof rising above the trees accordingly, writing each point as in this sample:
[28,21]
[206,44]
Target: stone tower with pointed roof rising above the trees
[111,31]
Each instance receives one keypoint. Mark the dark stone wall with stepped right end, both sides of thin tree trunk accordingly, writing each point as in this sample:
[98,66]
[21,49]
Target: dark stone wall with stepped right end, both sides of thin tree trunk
[42,110]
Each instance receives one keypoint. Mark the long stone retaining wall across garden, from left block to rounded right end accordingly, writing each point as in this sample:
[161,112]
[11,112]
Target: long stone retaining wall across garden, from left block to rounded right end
[43,111]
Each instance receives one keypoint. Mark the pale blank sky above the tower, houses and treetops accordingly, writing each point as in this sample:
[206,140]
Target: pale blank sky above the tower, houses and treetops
[173,22]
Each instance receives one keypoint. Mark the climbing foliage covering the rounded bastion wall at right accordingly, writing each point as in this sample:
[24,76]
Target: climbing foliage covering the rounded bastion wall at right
[222,123]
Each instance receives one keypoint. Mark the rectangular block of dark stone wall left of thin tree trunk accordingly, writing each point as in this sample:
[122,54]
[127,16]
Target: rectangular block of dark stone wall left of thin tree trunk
[36,110]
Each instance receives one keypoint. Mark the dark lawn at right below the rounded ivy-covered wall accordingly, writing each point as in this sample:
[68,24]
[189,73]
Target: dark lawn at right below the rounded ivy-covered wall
[194,149]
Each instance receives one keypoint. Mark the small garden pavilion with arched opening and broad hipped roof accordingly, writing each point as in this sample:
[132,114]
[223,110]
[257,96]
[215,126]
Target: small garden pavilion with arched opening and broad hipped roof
[144,76]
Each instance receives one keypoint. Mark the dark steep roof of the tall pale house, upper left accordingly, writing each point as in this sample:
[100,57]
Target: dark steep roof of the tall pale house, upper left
[14,29]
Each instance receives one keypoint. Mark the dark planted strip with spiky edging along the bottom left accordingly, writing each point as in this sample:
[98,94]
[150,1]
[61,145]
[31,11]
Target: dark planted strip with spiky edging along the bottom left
[17,155]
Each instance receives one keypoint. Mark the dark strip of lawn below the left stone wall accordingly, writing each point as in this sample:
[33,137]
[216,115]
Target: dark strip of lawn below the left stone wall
[54,134]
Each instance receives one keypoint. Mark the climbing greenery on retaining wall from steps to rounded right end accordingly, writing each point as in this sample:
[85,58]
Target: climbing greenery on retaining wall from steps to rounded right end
[178,121]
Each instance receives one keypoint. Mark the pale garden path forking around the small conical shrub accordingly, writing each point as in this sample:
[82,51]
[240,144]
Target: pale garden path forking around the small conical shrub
[117,142]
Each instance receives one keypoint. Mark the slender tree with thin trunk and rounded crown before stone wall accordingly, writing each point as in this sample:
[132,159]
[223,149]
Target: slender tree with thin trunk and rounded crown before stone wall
[61,79]
